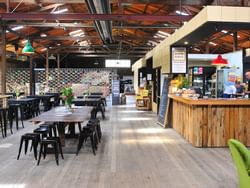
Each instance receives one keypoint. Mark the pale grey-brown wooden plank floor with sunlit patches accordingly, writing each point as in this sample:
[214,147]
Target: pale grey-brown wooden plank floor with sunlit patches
[135,152]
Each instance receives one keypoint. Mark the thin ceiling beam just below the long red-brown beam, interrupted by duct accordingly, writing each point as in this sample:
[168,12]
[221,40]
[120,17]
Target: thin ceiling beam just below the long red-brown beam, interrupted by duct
[62,25]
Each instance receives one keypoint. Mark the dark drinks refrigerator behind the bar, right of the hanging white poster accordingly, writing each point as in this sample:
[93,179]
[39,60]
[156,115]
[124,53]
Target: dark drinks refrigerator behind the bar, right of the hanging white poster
[200,79]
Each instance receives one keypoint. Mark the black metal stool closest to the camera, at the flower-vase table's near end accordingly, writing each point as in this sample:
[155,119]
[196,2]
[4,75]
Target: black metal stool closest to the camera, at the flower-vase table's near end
[56,144]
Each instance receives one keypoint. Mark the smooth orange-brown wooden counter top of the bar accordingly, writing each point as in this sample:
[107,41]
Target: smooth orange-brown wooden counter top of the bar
[211,101]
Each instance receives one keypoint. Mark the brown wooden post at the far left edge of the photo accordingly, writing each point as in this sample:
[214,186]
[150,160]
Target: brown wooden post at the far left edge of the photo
[3,66]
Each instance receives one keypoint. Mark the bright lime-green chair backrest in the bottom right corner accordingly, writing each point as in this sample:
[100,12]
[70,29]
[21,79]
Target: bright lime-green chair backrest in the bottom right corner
[241,158]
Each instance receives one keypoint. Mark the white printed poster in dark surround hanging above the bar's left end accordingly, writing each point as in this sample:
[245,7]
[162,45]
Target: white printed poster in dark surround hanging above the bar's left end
[178,60]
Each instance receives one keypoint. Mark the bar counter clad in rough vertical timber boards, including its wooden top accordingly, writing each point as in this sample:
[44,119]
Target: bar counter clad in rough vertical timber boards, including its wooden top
[211,122]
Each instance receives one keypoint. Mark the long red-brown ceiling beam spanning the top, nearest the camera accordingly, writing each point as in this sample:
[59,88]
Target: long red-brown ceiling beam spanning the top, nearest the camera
[81,17]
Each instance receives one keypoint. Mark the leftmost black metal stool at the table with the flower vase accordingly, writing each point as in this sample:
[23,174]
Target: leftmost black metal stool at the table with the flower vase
[34,137]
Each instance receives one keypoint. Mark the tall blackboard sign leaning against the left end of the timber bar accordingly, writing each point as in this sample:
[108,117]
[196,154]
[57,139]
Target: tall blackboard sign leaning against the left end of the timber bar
[163,101]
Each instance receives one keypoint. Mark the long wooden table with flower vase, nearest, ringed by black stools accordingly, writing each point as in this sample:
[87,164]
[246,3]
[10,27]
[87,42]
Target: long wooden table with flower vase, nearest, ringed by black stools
[64,116]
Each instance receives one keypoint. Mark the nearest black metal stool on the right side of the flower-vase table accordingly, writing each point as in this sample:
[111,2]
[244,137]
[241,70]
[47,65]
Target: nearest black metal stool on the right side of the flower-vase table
[87,132]
